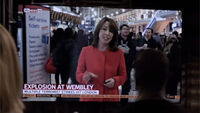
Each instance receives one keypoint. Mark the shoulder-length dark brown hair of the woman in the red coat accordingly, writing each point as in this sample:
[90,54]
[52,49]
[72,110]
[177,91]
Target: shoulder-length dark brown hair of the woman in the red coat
[113,28]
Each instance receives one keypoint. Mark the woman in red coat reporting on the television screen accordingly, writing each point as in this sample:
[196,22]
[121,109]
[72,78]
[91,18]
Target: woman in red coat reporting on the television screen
[102,64]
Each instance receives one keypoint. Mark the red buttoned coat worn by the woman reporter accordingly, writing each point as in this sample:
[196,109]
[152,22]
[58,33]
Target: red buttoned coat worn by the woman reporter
[105,64]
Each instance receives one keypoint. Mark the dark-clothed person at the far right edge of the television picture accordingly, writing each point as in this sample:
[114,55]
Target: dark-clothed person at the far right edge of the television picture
[174,56]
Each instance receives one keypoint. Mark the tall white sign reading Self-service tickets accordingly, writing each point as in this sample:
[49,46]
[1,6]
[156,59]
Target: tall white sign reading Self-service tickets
[37,45]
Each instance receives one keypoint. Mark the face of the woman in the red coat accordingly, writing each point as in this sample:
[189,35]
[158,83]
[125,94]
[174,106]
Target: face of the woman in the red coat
[105,36]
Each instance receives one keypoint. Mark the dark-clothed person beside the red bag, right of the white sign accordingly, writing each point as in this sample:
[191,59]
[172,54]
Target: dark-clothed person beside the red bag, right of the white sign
[64,56]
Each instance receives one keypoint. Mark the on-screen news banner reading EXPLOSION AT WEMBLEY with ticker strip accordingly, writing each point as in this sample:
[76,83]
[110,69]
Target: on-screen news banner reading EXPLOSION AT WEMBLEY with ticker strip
[68,91]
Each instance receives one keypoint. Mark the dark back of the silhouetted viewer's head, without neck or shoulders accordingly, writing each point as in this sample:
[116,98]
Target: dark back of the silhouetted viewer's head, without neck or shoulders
[151,69]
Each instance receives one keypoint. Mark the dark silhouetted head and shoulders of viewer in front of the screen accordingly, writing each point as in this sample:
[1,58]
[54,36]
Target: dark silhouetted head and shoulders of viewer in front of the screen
[152,69]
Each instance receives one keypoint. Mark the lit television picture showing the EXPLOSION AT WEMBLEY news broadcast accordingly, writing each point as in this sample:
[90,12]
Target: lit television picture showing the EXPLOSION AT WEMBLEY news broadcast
[90,53]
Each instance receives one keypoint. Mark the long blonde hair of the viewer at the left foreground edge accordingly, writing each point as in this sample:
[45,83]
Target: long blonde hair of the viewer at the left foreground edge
[10,76]
